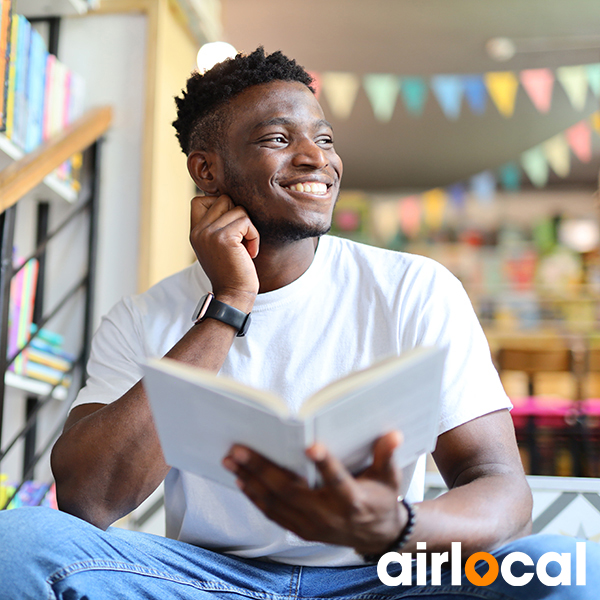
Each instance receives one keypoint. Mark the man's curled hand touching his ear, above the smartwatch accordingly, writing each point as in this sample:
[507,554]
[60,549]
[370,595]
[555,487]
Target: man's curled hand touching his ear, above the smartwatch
[225,242]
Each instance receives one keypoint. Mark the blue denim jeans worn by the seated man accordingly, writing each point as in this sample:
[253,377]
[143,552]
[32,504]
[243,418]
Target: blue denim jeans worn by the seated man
[47,554]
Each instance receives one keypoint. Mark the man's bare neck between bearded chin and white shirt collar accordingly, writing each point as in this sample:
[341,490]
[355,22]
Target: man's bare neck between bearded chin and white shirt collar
[277,266]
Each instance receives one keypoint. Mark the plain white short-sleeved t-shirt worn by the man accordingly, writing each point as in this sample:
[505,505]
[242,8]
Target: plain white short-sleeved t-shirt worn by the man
[354,305]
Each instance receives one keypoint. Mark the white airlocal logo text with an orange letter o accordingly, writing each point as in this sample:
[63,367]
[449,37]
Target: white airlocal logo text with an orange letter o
[440,558]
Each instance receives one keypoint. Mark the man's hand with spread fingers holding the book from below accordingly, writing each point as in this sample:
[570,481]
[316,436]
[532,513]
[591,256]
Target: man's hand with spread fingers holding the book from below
[361,512]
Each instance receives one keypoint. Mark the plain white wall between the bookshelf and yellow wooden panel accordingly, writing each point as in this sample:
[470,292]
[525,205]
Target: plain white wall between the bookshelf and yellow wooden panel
[108,51]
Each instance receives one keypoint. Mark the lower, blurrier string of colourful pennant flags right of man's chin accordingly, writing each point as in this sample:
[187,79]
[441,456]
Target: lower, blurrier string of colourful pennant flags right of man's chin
[429,208]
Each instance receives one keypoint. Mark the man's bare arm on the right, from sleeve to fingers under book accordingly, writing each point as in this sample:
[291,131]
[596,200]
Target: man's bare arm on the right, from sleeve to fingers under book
[488,504]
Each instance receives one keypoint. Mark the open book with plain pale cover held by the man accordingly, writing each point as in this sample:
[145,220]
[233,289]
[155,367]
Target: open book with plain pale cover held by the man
[200,415]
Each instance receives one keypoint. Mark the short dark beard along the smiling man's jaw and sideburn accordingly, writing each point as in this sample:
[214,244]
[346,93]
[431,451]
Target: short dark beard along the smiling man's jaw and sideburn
[272,231]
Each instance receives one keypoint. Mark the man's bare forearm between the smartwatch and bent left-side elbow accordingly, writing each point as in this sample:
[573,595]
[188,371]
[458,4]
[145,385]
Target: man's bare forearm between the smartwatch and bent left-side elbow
[109,459]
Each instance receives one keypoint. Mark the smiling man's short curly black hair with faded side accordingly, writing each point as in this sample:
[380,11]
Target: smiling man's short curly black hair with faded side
[201,120]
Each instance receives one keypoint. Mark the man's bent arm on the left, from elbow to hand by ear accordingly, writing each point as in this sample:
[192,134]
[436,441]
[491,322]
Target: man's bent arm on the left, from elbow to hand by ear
[109,459]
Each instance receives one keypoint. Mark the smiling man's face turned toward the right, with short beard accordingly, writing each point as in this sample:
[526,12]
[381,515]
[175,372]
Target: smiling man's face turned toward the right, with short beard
[280,164]
